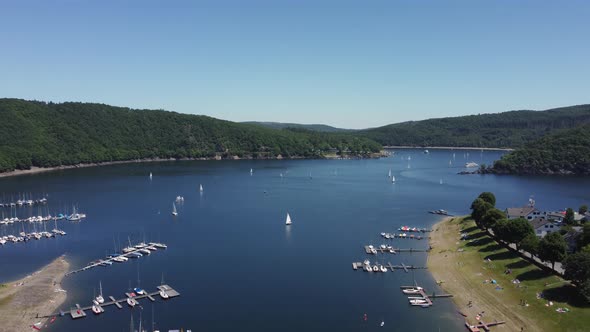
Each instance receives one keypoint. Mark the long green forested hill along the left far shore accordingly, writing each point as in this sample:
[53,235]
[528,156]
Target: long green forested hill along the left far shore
[50,134]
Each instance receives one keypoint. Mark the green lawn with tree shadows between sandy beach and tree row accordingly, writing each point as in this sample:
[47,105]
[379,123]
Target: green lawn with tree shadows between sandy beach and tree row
[495,260]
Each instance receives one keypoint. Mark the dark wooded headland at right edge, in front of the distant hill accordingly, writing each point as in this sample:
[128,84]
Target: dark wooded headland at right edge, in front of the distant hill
[563,152]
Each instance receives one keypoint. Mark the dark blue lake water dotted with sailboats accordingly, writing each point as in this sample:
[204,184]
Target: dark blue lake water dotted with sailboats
[230,255]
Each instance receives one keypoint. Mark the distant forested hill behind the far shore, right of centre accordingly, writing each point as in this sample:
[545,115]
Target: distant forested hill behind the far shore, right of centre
[509,129]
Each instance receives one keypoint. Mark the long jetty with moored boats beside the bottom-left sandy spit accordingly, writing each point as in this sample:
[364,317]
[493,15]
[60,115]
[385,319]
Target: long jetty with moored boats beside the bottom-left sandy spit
[164,291]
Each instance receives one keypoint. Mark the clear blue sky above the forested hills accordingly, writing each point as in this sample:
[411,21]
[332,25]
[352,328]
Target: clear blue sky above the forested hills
[350,64]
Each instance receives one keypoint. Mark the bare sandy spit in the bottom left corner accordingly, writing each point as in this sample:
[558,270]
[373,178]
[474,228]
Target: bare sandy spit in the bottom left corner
[38,294]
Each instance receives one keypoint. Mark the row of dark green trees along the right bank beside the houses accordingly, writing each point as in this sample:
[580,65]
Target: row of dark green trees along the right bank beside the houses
[551,248]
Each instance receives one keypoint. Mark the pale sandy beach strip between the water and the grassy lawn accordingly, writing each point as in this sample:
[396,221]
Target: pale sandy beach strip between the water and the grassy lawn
[460,274]
